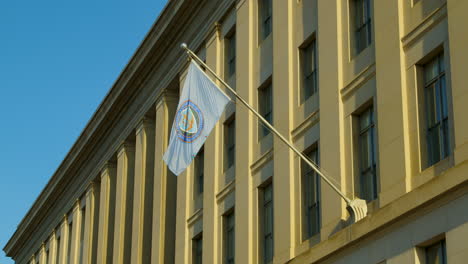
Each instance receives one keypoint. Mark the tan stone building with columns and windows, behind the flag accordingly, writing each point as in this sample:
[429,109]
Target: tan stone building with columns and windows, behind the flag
[372,90]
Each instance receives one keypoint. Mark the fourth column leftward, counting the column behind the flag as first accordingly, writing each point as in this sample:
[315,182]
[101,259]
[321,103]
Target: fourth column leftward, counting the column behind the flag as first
[106,214]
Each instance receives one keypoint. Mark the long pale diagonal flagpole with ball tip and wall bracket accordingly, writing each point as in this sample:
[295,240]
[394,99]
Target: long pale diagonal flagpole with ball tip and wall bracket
[349,202]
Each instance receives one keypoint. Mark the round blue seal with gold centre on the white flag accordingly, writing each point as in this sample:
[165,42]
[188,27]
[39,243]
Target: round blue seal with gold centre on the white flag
[189,122]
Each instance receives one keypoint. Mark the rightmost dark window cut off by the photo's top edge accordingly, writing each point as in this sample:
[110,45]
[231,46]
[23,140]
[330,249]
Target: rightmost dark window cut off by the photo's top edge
[362,24]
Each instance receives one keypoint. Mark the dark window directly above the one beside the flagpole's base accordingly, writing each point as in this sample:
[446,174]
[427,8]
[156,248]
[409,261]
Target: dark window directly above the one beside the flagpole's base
[309,71]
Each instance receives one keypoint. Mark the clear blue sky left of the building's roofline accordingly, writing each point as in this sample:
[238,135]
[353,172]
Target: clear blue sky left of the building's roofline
[57,61]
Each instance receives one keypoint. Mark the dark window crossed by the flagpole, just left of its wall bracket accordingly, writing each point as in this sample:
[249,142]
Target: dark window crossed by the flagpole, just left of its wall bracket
[311,195]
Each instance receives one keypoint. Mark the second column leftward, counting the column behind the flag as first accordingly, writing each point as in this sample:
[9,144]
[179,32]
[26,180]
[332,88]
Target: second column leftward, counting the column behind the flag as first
[143,192]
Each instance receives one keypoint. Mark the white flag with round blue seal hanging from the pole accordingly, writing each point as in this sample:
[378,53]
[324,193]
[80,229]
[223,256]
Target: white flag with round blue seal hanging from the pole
[200,106]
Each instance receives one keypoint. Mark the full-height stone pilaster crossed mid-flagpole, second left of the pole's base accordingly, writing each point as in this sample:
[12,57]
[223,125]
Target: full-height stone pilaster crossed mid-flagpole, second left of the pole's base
[283,180]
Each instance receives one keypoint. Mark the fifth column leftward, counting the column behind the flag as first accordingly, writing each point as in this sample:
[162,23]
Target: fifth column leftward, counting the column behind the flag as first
[91,224]
